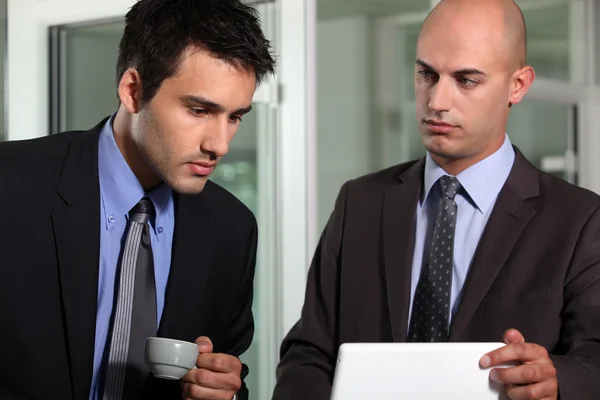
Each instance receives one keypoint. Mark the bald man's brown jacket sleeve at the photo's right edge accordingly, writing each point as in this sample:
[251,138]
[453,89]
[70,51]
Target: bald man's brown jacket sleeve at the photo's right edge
[578,366]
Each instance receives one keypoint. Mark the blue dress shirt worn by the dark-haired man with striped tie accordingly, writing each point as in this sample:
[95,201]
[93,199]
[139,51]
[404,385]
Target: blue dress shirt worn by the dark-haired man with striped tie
[120,190]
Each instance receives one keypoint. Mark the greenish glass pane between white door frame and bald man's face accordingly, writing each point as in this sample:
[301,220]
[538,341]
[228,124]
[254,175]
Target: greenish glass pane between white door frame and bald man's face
[356,133]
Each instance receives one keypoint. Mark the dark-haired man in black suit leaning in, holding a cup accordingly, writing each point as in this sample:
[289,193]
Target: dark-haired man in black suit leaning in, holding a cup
[116,234]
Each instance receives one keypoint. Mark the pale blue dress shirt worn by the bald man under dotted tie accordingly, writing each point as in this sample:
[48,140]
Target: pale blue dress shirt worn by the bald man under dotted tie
[481,183]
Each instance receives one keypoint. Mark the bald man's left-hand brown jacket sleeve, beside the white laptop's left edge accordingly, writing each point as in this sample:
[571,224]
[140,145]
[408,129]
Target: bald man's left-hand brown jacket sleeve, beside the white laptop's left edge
[309,351]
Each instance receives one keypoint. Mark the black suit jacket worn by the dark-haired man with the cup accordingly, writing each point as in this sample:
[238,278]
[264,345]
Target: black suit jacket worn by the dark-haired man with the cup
[49,262]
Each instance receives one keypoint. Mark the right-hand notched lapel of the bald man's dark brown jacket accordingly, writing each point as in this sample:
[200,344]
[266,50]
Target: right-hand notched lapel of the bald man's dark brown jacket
[509,218]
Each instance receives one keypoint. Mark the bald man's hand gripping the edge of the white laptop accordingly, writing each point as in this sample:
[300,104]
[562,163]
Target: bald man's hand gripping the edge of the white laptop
[533,378]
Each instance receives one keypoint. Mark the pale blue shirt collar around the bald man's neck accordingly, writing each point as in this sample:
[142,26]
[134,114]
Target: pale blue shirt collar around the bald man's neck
[482,181]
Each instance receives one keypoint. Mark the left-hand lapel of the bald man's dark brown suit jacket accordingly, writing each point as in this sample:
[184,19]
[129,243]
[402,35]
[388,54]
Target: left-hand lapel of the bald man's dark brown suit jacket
[399,208]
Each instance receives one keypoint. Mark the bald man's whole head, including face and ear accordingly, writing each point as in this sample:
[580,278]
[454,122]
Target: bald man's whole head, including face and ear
[470,70]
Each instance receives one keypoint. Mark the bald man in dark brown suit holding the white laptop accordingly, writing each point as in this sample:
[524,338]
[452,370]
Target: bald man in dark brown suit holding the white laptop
[514,252]
